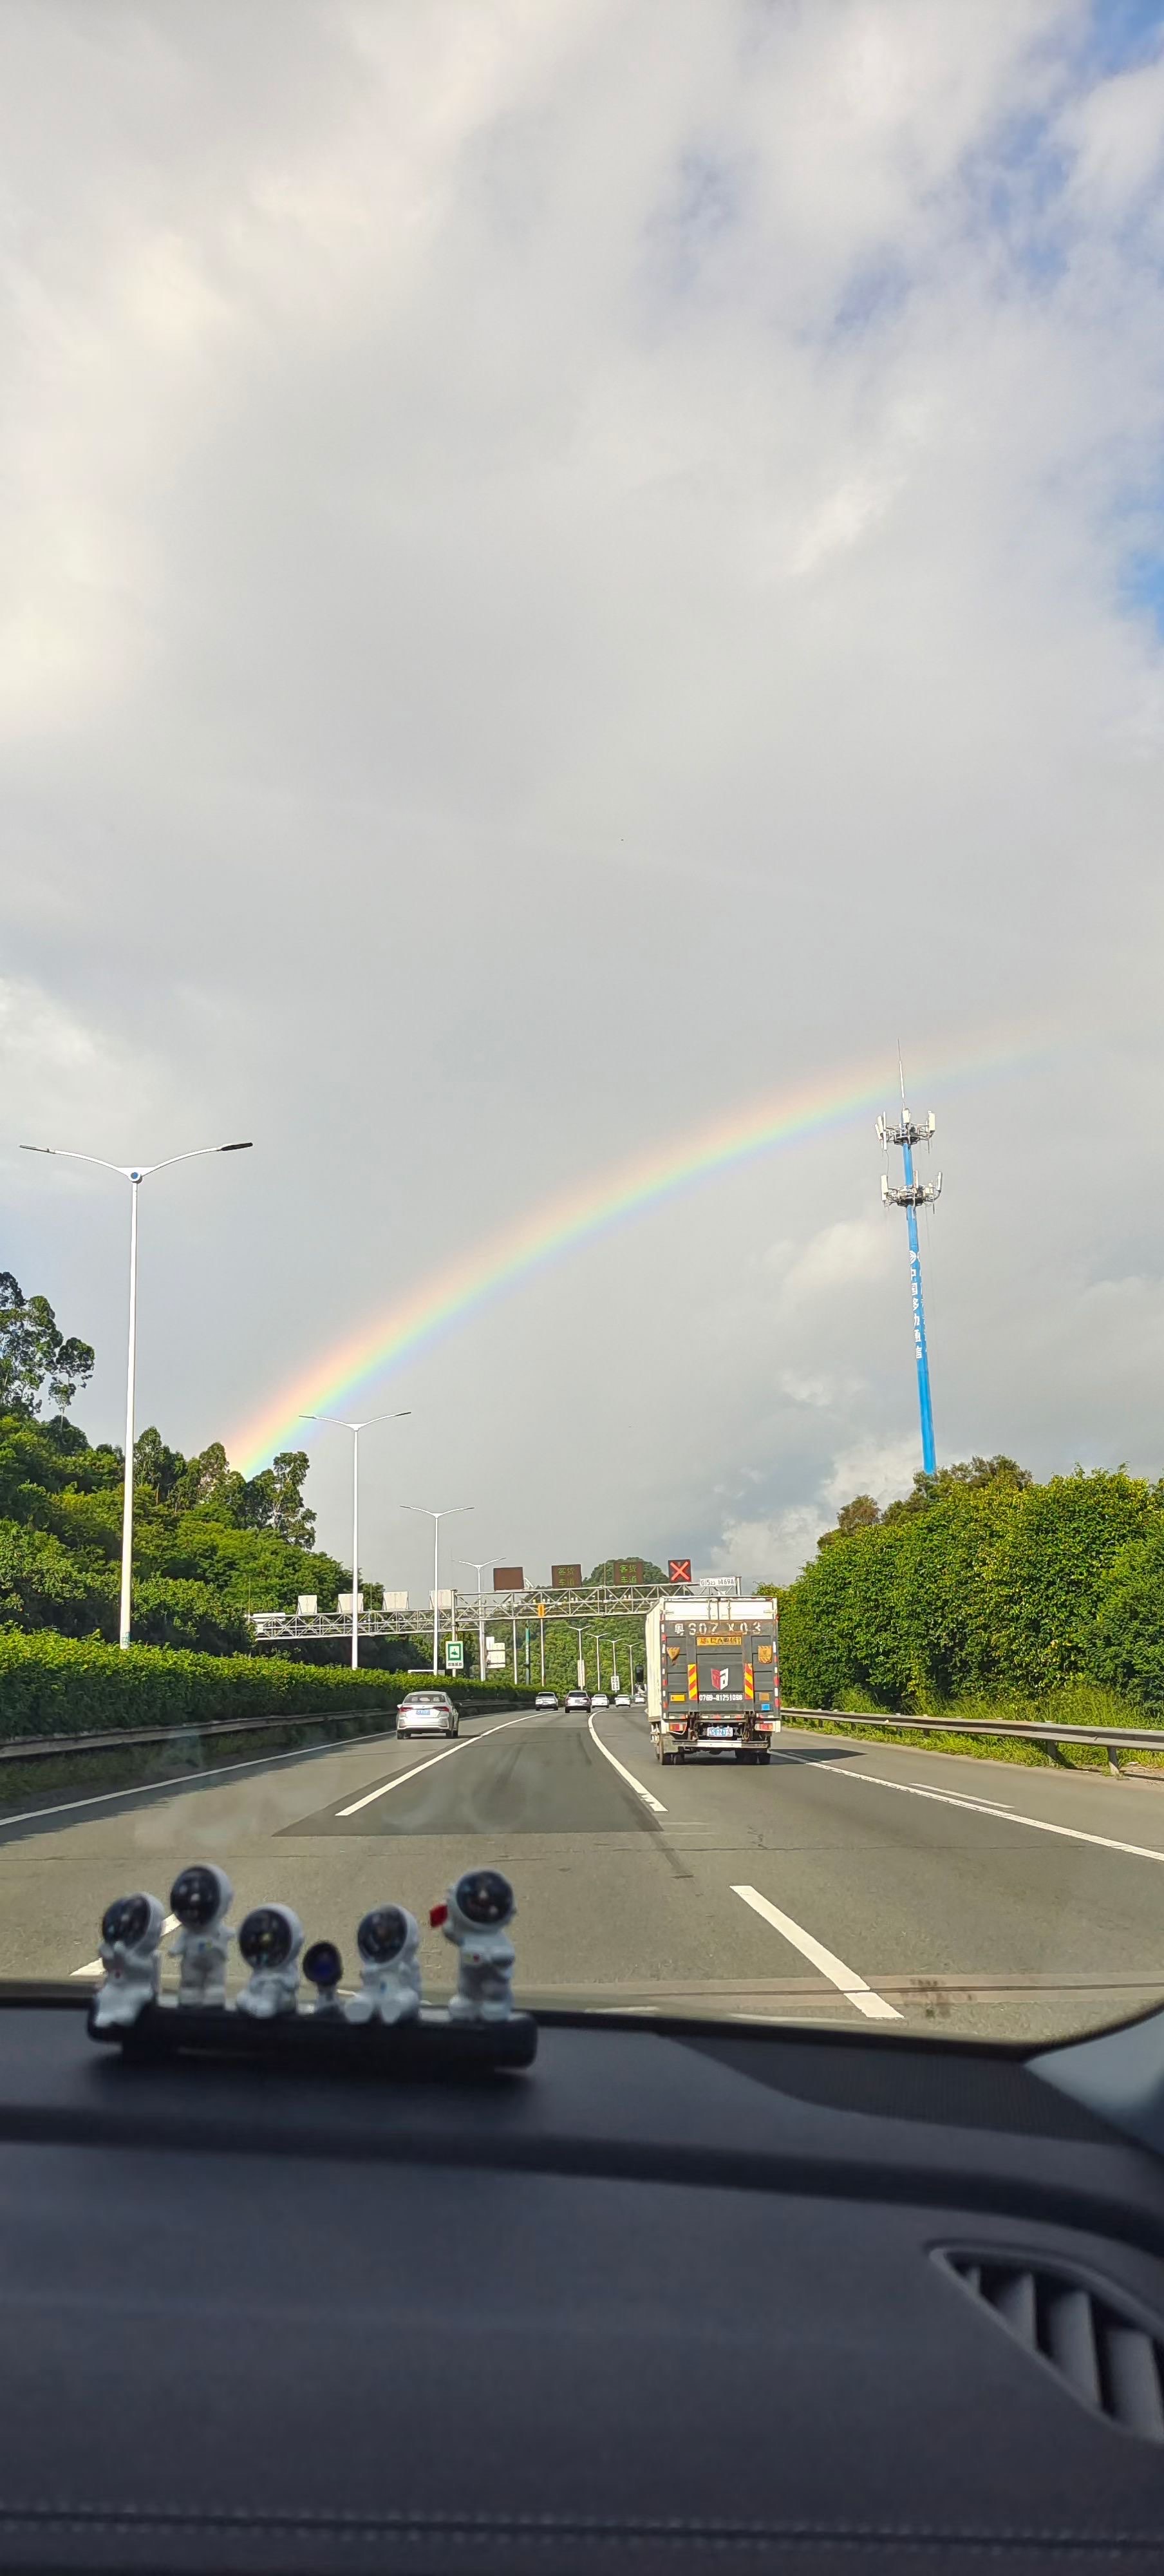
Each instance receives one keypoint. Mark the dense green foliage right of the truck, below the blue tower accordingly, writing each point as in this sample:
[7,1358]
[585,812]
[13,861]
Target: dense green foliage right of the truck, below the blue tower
[982,1583]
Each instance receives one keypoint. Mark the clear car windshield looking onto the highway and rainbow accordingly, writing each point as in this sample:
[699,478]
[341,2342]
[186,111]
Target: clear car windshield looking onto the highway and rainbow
[581,746]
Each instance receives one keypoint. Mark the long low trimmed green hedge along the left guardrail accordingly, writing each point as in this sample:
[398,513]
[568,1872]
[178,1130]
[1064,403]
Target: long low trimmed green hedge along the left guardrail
[58,1686]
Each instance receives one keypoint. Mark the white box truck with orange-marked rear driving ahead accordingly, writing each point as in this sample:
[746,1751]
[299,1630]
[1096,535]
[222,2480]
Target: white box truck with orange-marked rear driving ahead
[712,1678]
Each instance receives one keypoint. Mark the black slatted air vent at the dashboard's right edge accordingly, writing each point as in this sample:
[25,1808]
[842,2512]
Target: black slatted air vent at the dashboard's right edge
[1088,2340]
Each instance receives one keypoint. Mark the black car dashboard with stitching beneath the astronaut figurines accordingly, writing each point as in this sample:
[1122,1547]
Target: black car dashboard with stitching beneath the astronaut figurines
[679,2297]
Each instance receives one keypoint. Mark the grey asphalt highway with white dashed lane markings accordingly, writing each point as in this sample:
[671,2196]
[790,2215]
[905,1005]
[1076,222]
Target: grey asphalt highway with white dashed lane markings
[864,1887]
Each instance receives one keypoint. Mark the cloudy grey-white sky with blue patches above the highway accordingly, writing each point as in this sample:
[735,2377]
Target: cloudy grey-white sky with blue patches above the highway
[568,573]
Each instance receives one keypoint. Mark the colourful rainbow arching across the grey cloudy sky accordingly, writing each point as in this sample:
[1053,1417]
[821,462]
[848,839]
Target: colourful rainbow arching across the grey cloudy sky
[475,1279]
